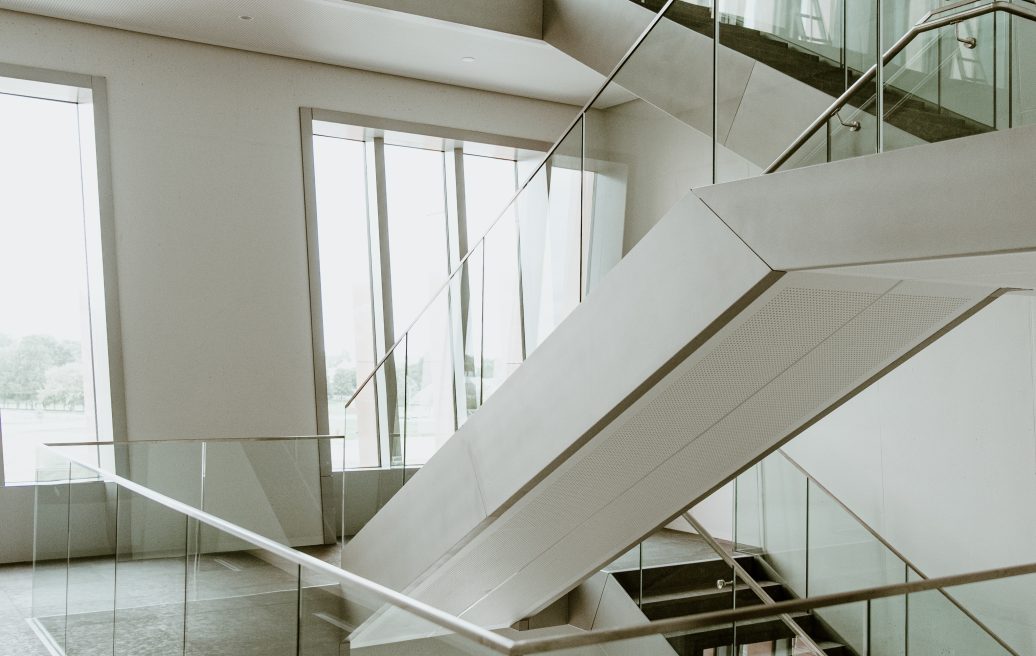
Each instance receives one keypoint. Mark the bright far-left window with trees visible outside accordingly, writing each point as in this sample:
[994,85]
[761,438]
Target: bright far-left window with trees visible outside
[54,357]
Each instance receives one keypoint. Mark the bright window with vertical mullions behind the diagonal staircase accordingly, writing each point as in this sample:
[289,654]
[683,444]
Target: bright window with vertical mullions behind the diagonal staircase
[391,217]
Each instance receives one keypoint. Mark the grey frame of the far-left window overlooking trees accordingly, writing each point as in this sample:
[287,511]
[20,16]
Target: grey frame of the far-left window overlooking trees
[91,95]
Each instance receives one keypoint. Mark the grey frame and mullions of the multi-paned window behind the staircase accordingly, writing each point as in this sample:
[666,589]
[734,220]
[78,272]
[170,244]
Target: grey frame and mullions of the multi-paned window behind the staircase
[375,131]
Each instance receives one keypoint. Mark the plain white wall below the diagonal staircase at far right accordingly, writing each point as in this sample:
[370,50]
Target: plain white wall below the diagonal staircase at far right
[940,459]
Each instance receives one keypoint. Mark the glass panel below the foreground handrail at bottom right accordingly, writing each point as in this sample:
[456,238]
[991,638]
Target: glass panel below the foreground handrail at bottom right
[929,629]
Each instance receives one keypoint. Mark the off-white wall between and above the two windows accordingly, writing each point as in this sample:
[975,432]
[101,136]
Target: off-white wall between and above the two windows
[210,221]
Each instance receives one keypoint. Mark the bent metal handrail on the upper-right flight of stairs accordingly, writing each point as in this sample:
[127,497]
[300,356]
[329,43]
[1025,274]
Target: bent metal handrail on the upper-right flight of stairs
[928,23]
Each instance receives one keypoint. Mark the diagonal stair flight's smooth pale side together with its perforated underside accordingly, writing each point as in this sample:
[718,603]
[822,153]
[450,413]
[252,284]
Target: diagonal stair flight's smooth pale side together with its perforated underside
[600,438]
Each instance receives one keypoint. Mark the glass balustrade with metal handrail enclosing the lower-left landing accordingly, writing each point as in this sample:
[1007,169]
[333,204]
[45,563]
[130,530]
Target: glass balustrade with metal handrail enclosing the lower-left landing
[123,569]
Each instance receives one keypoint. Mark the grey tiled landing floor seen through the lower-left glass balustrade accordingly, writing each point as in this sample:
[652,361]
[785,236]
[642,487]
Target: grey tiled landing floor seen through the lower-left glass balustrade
[220,605]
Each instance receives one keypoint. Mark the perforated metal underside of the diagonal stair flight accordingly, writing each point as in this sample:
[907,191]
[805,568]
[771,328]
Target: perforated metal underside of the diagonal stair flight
[796,351]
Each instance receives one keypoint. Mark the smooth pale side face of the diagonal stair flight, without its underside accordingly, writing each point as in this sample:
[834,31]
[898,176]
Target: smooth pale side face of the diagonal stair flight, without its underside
[646,312]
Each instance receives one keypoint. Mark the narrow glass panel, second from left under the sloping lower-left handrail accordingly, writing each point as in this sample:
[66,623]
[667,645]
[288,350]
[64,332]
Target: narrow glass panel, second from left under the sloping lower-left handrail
[91,595]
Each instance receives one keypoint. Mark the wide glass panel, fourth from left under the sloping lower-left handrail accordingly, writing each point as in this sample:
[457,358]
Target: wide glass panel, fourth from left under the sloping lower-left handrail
[240,600]
